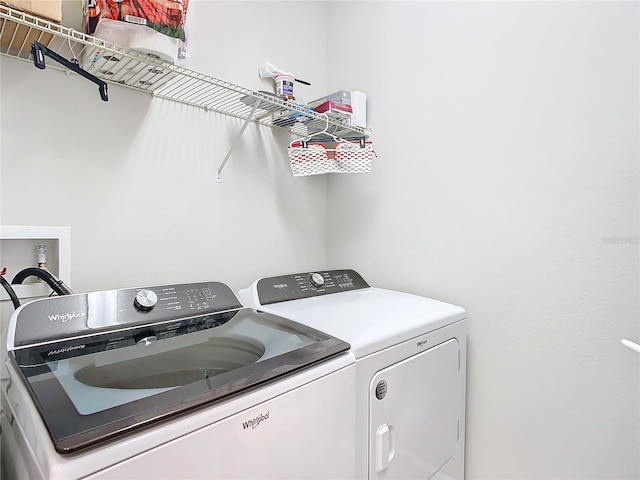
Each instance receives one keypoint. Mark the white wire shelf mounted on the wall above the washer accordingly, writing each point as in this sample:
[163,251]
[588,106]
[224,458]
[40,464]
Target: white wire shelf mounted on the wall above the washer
[140,71]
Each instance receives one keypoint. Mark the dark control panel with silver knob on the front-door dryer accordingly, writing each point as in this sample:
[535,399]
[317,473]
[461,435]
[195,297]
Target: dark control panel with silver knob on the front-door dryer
[295,286]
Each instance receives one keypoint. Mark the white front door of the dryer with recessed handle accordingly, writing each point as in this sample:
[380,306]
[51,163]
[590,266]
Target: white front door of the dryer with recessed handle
[414,410]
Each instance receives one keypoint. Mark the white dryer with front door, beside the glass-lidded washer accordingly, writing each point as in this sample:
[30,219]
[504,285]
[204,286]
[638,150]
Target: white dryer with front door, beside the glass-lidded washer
[410,367]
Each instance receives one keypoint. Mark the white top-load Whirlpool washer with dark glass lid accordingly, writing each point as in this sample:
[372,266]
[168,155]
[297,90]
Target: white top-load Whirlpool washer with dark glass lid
[173,381]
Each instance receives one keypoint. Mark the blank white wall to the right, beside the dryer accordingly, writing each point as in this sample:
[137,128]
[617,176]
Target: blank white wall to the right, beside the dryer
[507,182]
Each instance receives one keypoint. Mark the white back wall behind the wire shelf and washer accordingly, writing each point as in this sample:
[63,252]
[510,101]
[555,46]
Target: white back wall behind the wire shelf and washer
[135,178]
